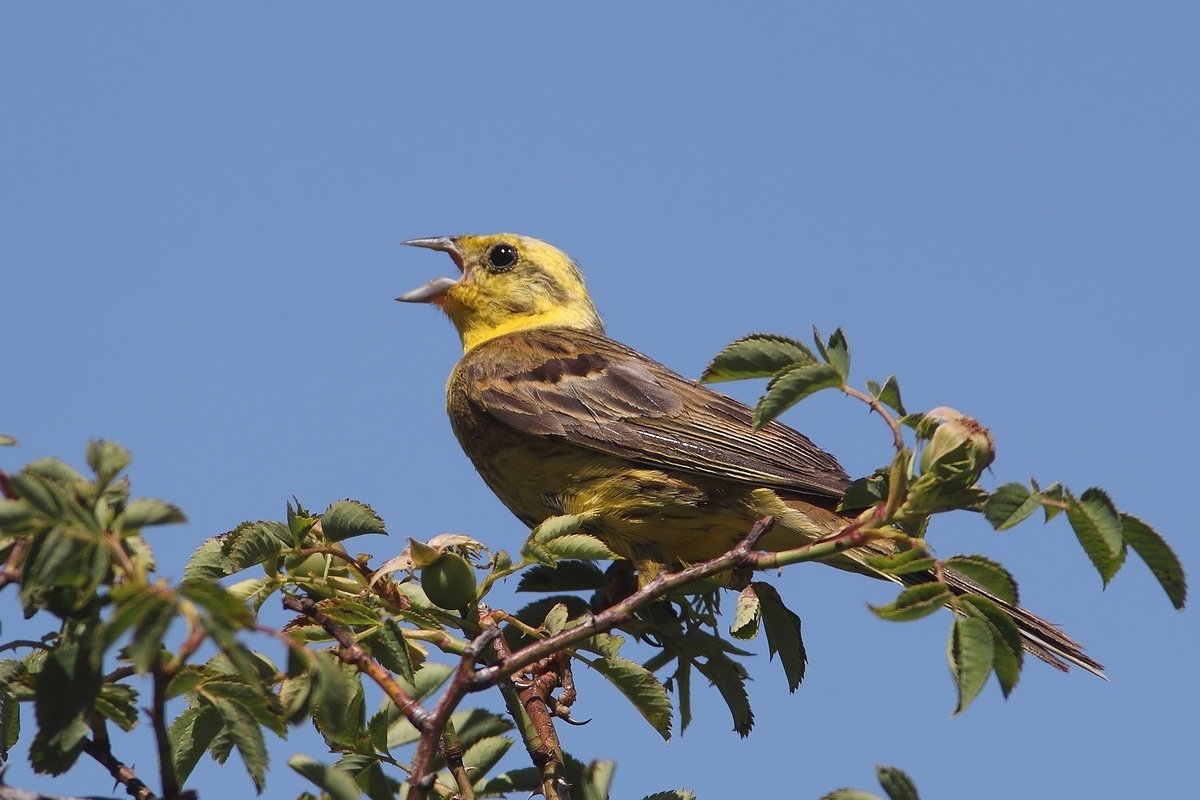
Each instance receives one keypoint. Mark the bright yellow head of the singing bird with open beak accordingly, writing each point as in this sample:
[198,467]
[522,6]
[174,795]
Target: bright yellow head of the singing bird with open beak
[509,284]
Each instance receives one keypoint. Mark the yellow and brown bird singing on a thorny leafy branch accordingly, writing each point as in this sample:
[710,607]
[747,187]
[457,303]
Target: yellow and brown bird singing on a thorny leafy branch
[560,419]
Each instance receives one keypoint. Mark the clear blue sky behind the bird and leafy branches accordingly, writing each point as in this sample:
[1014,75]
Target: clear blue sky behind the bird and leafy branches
[200,209]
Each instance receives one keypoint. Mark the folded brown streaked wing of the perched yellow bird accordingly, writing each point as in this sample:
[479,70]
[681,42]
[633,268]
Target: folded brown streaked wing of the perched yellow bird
[598,394]
